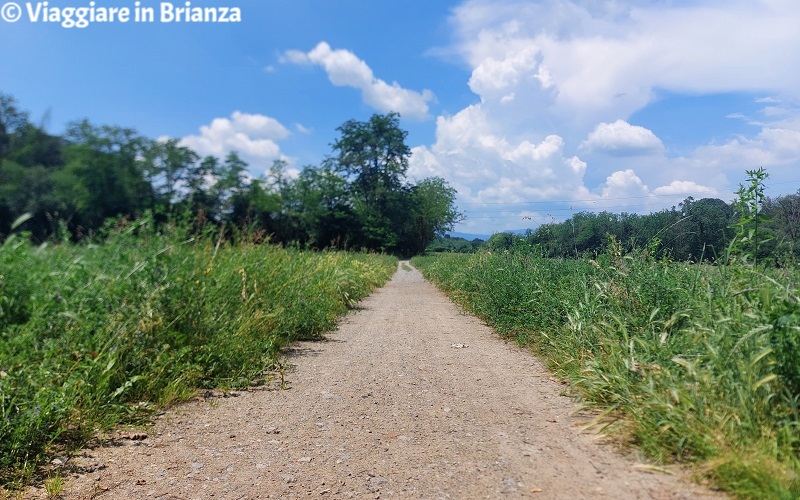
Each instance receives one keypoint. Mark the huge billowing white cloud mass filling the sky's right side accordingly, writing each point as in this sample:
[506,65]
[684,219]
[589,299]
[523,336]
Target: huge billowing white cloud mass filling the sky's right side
[556,84]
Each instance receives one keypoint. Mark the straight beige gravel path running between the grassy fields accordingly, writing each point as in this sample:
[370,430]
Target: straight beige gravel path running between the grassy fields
[410,398]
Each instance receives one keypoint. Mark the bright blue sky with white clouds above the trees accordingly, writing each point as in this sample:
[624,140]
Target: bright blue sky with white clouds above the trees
[533,110]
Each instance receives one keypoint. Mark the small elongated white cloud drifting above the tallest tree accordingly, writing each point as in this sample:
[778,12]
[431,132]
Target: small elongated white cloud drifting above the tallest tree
[345,69]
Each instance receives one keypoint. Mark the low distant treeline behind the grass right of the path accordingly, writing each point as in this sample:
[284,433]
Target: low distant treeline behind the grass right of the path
[695,230]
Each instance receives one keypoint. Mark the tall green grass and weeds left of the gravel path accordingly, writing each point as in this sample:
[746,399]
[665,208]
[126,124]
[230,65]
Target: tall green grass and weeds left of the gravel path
[95,335]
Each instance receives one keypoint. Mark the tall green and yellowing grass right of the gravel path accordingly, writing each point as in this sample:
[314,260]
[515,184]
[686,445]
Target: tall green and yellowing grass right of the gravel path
[689,362]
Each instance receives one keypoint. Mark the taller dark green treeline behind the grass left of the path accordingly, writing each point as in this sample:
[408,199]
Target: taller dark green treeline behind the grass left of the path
[359,198]
